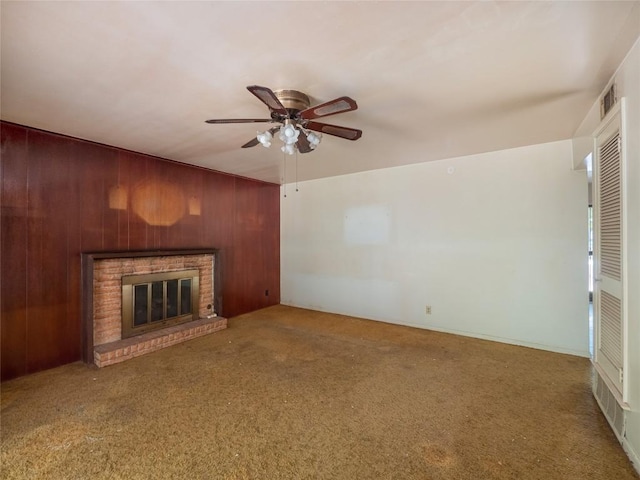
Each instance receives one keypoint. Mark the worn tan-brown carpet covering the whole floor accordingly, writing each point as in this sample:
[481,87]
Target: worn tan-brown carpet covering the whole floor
[287,393]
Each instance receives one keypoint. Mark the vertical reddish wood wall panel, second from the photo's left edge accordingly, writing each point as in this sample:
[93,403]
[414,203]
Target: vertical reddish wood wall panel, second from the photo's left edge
[47,250]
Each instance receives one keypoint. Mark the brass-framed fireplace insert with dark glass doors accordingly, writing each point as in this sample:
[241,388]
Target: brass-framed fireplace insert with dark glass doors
[158,300]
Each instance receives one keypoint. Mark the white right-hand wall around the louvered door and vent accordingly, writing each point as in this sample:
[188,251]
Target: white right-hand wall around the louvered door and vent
[627,79]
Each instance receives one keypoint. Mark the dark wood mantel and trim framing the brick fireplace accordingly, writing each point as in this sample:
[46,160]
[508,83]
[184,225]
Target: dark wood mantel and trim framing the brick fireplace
[88,261]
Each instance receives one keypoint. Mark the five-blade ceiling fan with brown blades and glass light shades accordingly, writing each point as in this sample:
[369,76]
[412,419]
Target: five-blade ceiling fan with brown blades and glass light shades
[291,109]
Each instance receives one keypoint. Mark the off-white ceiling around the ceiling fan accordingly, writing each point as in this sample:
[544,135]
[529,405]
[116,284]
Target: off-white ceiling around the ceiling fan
[432,80]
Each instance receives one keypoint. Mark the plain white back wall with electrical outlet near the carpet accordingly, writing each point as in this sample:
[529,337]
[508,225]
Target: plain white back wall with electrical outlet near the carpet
[496,243]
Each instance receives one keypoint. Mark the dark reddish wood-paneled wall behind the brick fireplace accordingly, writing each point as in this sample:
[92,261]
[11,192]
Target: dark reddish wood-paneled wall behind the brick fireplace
[55,205]
